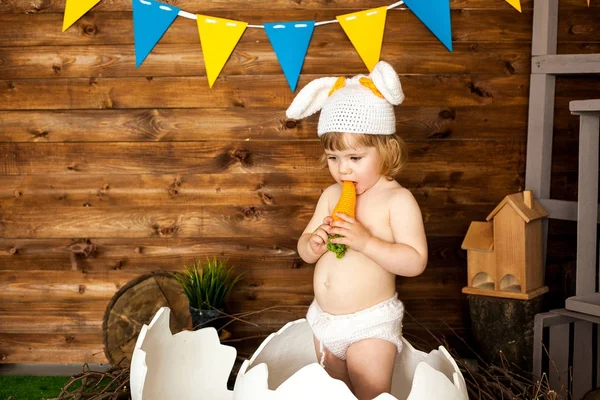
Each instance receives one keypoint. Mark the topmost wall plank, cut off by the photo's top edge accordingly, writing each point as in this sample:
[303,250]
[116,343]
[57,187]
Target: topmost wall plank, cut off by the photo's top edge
[40,6]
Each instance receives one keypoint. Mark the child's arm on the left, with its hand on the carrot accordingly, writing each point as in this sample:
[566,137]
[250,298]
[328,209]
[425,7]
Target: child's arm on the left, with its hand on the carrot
[313,242]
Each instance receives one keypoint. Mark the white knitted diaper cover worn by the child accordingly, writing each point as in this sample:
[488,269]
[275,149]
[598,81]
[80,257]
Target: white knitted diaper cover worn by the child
[338,332]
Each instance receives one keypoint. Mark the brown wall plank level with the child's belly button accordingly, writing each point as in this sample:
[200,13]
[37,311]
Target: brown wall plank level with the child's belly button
[260,282]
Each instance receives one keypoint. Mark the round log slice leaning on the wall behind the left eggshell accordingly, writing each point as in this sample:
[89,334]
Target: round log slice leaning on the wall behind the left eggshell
[134,305]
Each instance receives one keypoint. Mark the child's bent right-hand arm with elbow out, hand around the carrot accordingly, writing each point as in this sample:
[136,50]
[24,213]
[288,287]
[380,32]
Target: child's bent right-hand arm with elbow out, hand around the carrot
[407,256]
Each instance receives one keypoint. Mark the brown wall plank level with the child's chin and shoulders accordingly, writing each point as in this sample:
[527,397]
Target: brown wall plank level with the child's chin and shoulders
[281,189]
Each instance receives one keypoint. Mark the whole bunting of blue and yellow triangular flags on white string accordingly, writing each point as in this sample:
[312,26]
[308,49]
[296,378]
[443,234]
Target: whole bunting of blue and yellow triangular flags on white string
[290,40]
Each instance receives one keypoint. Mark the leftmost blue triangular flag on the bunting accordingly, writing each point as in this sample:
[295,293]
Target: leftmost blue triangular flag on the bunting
[151,20]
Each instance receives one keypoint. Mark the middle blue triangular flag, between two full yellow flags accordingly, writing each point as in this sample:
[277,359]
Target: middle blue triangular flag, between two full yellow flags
[290,42]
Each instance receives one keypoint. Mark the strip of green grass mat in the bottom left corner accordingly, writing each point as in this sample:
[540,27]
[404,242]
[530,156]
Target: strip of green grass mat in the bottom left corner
[31,387]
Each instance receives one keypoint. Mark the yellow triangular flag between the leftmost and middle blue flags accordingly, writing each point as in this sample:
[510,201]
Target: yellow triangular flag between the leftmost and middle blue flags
[218,38]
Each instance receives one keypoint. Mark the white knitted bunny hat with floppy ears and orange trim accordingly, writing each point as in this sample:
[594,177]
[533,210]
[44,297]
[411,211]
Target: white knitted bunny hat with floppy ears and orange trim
[362,104]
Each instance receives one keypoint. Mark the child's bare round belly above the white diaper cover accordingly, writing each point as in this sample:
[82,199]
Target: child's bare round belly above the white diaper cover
[350,284]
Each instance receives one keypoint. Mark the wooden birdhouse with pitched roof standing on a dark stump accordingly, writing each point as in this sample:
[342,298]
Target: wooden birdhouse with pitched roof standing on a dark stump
[505,254]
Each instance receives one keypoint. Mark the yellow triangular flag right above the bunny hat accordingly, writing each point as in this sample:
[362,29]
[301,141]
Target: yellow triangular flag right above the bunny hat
[365,31]
